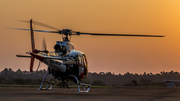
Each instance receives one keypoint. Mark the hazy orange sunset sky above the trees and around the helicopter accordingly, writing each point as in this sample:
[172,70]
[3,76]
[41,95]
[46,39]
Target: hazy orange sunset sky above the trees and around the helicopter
[105,54]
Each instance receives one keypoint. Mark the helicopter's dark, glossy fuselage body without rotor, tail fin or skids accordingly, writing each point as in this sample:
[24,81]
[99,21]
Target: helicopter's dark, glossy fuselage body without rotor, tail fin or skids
[73,63]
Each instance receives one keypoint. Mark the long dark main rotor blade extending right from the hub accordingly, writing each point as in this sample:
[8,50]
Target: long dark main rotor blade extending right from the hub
[78,33]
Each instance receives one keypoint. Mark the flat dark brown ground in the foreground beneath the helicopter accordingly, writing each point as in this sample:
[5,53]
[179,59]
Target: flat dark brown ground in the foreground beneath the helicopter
[95,94]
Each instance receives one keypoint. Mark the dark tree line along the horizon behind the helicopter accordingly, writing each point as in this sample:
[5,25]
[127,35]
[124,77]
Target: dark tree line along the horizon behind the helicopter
[9,76]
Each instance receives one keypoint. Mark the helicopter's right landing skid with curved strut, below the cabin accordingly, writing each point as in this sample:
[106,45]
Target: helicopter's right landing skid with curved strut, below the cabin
[82,84]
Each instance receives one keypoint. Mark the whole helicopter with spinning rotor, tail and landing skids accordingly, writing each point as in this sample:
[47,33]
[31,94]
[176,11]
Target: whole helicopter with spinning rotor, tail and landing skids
[65,63]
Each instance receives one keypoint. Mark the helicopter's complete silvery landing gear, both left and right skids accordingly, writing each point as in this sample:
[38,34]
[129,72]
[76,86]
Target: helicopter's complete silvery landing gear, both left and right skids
[63,84]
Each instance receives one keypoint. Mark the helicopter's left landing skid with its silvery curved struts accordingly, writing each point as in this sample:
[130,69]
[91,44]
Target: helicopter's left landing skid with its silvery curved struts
[48,82]
